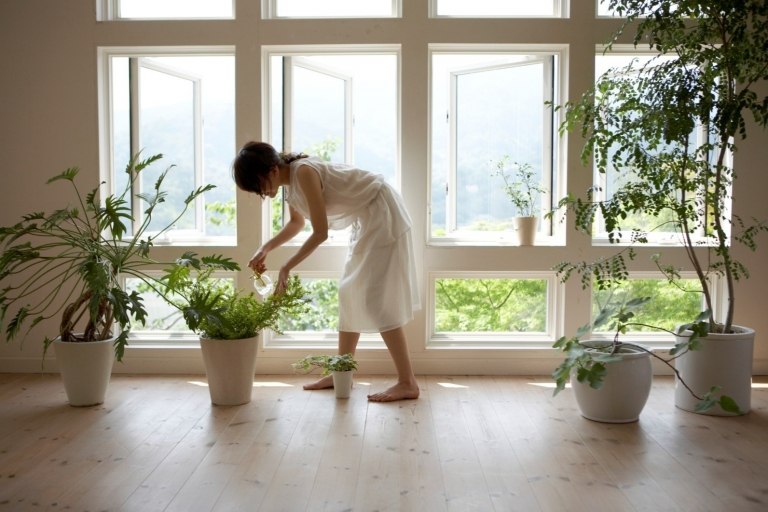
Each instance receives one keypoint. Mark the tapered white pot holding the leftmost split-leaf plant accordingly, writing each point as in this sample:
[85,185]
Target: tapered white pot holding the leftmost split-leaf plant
[85,368]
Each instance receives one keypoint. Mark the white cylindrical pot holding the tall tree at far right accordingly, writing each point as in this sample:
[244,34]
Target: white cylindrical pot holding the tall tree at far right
[723,360]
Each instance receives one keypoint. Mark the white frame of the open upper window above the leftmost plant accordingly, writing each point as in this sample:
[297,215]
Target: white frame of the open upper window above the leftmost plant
[106,142]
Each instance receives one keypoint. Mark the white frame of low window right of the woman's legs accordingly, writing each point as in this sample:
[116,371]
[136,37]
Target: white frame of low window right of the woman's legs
[507,340]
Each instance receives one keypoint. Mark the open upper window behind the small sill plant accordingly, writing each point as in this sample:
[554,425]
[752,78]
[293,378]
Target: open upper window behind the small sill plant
[488,107]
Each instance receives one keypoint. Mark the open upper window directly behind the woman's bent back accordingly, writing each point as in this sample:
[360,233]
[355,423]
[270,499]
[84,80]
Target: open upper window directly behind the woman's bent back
[339,105]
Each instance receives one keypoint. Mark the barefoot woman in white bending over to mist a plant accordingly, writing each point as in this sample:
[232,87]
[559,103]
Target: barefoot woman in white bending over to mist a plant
[377,291]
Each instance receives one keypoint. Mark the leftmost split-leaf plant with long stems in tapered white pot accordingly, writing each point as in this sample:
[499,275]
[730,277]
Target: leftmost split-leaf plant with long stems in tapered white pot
[67,264]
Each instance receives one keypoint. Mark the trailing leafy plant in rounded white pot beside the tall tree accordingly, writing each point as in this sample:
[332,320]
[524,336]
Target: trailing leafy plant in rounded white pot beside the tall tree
[611,379]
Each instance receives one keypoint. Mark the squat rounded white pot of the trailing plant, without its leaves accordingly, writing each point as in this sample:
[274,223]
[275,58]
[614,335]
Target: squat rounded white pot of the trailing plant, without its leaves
[624,392]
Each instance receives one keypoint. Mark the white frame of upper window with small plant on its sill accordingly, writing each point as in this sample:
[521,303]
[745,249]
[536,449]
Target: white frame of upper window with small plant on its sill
[552,235]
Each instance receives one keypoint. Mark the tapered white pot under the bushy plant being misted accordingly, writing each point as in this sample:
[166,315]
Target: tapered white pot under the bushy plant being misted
[230,366]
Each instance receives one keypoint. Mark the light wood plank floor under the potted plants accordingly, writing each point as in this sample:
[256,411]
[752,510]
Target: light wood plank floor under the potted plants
[469,443]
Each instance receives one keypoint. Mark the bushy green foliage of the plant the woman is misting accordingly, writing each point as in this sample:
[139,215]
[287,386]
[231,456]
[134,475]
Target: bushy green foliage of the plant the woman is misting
[214,310]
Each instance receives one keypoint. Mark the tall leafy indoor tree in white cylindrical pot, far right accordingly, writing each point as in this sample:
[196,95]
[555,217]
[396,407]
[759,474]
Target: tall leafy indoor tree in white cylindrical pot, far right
[665,132]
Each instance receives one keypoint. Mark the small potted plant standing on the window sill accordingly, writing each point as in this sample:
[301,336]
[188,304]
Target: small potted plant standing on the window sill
[524,191]
